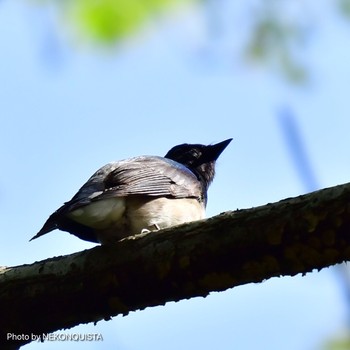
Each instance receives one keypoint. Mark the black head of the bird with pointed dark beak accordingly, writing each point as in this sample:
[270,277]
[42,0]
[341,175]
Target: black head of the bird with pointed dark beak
[199,158]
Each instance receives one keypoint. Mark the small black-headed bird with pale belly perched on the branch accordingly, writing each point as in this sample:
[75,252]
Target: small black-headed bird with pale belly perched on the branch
[140,194]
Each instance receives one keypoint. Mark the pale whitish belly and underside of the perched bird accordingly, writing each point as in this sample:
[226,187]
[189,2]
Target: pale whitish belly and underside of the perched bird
[116,218]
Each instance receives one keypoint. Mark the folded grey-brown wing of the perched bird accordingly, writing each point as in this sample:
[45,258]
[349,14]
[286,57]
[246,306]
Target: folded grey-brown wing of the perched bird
[146,175]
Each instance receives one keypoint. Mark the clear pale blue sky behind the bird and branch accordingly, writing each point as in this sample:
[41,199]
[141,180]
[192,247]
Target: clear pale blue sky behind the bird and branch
[67,110]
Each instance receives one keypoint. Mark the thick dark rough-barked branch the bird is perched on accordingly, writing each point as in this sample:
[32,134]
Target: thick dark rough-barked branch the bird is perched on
[292,236]
